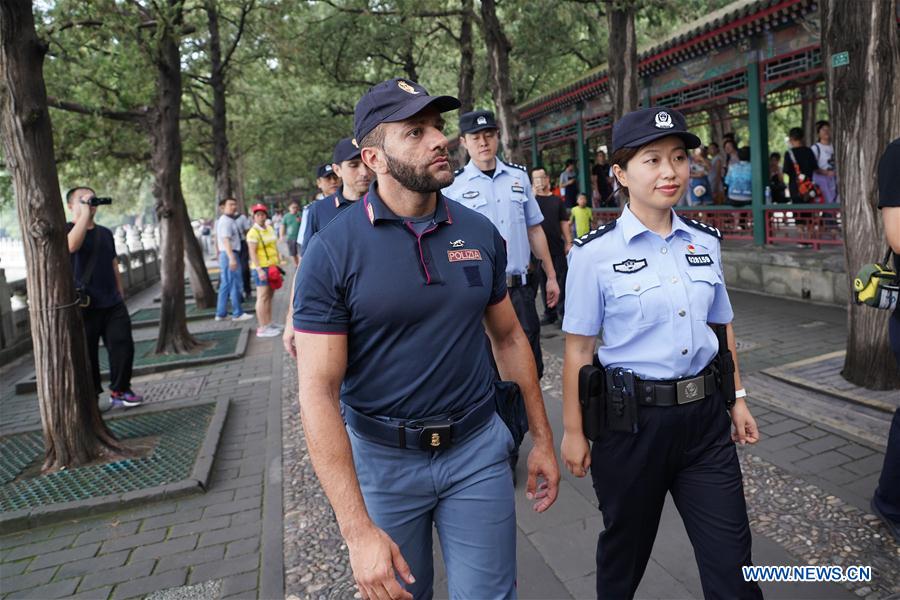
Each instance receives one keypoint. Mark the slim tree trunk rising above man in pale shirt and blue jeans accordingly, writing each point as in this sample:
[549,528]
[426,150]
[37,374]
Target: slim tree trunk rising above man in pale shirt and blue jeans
[221,163]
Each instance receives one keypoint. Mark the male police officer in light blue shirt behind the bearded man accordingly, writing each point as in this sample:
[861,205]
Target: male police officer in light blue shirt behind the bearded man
[502,192]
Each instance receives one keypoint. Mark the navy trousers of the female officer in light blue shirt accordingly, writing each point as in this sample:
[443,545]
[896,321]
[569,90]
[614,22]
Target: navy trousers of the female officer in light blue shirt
[686,451]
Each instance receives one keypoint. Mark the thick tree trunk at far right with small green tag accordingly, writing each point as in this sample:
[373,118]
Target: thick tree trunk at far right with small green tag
[865,117]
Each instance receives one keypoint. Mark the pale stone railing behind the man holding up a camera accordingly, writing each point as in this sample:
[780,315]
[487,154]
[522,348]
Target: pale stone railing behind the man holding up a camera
[139,269]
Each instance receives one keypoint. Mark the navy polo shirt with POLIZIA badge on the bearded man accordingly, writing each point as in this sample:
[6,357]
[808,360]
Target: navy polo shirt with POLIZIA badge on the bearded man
[411,305]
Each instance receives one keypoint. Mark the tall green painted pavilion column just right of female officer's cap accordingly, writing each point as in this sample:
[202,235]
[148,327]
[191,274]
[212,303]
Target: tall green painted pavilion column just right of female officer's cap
[759,151]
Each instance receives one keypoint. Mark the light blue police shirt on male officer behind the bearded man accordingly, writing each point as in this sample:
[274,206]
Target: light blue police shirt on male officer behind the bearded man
[506,200]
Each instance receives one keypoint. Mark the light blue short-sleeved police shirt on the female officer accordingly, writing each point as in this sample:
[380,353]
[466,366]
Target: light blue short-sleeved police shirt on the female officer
[651,297]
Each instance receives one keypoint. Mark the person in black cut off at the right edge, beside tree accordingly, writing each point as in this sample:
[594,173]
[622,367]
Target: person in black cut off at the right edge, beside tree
[886,501]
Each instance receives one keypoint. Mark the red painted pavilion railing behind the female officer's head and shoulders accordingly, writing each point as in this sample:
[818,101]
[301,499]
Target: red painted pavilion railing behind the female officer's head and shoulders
[815,227]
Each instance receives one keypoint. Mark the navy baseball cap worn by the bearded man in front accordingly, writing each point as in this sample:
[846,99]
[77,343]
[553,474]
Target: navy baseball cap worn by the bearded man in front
[394,100]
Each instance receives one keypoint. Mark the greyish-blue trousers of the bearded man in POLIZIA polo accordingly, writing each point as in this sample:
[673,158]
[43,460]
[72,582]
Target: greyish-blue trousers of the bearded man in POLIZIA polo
[465,491]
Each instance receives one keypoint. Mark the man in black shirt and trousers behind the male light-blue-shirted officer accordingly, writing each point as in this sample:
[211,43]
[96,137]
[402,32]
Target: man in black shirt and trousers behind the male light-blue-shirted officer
[559,239]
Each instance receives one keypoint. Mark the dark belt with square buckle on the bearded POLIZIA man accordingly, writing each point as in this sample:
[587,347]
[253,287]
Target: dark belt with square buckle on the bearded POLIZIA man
[421,434]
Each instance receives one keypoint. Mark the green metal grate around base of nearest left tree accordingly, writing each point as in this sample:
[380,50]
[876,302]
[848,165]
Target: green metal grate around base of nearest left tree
[180,432]
